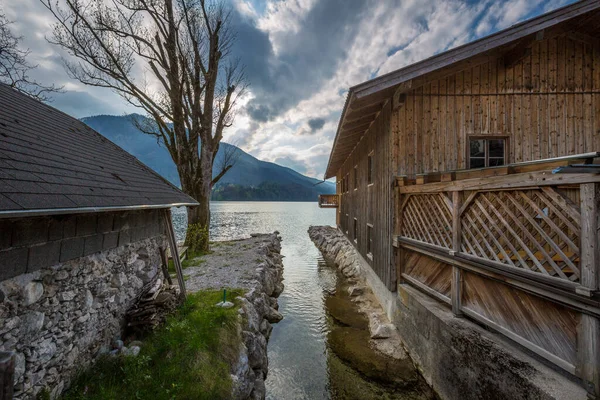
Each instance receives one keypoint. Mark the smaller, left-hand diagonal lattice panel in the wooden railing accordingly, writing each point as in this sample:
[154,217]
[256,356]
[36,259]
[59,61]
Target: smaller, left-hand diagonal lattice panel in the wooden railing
[428,218]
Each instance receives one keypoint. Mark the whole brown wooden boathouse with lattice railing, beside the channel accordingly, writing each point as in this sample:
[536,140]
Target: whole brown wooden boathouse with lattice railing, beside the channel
[474,176]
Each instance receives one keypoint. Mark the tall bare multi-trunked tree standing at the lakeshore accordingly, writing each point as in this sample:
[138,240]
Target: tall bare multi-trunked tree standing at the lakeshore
[170,58]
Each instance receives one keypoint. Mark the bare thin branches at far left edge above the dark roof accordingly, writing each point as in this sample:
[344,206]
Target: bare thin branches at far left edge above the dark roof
[14,67]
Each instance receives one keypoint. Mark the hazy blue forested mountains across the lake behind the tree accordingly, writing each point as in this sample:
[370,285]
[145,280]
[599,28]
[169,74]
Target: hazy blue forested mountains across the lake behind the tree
[249,179]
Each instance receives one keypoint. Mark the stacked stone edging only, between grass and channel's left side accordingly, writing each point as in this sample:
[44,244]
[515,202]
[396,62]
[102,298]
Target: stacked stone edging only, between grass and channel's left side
[258,312]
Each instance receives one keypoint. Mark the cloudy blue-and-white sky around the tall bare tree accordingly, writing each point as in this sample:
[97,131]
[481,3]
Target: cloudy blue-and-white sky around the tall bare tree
[301,57]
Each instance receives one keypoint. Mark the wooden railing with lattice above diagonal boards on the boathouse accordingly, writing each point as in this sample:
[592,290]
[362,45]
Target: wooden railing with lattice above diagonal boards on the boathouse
[492,243]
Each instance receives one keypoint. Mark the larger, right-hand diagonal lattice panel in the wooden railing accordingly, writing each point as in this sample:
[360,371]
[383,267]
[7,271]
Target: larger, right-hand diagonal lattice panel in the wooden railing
[535,229]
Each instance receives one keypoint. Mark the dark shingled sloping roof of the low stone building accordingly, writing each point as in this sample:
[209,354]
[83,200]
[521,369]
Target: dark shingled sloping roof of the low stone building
[51,162]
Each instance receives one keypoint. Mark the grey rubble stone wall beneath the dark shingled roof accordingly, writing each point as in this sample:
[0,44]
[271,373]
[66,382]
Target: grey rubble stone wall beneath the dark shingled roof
[58,318]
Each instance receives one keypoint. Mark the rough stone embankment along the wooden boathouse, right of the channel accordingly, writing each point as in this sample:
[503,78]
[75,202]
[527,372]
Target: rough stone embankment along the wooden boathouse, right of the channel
[383,335]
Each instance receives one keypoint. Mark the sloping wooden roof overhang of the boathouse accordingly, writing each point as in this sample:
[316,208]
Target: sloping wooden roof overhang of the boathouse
[365,101]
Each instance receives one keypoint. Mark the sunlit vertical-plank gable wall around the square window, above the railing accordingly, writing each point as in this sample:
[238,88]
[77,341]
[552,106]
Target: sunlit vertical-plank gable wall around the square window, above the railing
[547,104]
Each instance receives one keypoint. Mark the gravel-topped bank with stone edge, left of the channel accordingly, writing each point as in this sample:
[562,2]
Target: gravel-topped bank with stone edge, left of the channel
[253,264]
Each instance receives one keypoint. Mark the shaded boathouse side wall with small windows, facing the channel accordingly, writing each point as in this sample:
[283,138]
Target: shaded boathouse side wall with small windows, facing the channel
[374,203]
